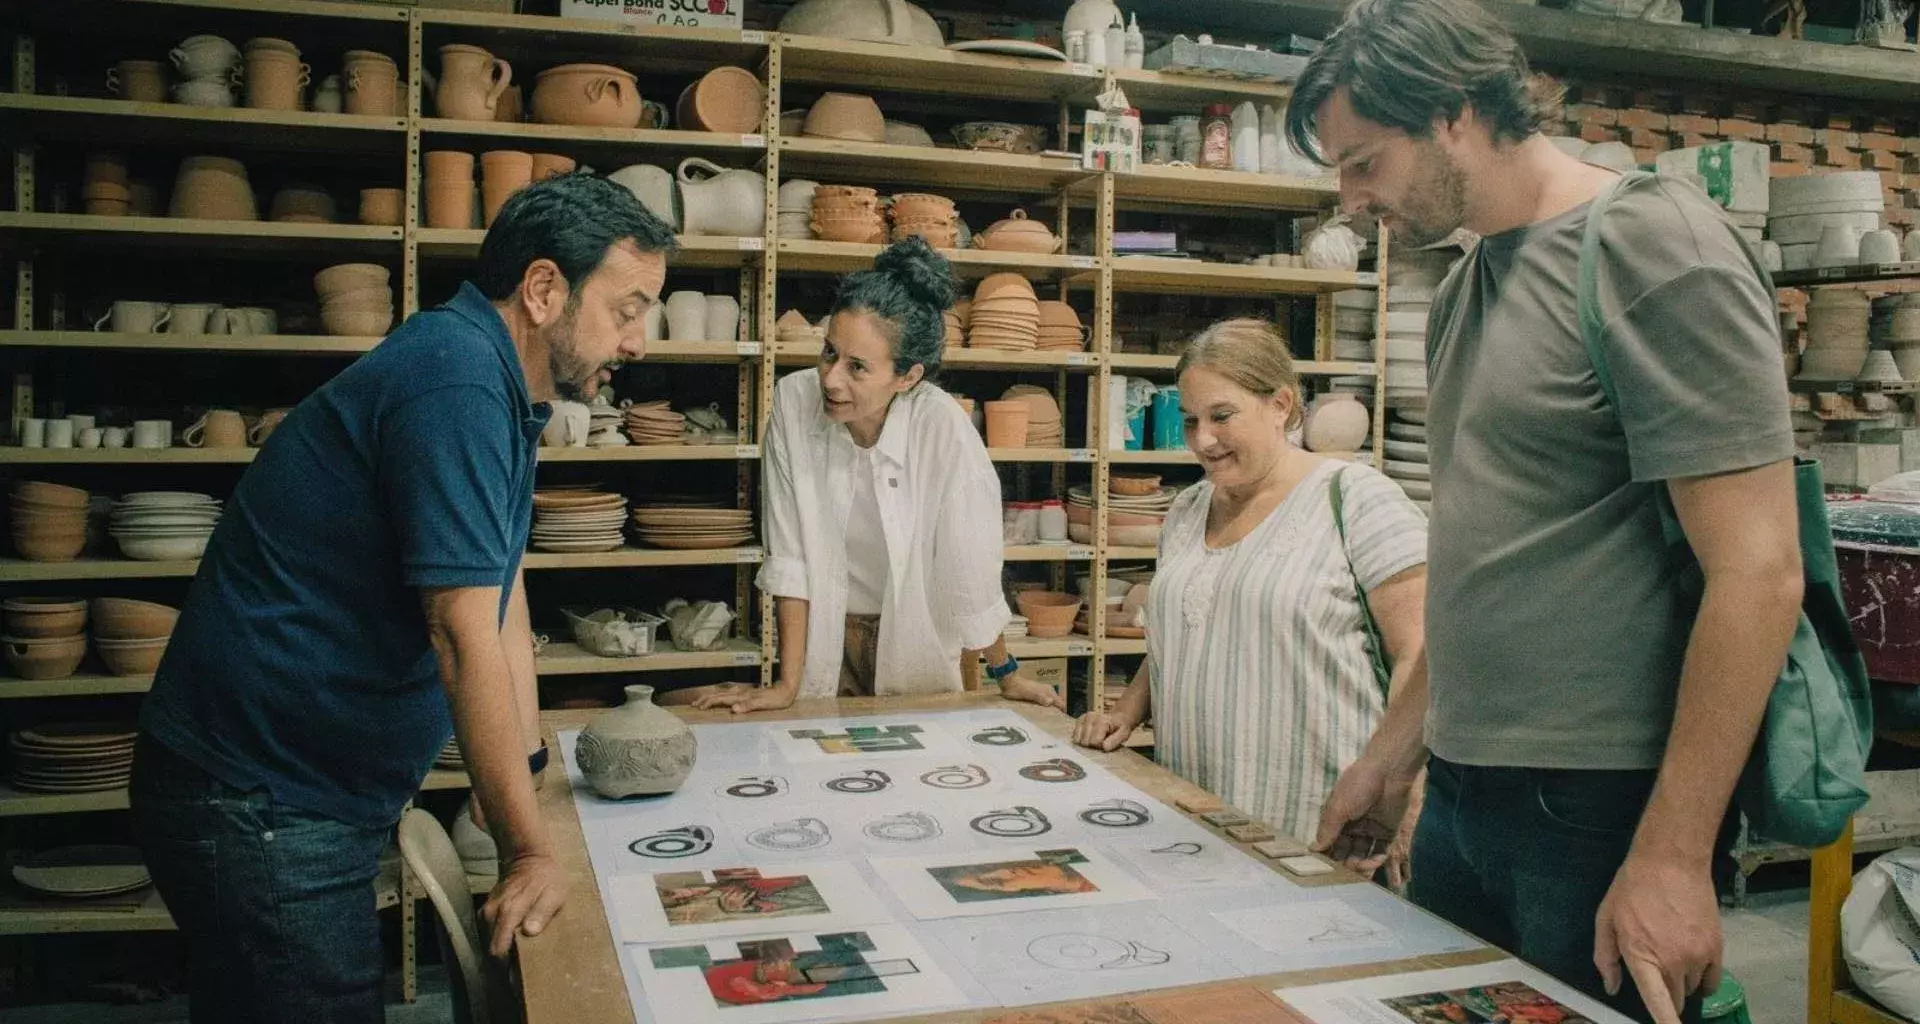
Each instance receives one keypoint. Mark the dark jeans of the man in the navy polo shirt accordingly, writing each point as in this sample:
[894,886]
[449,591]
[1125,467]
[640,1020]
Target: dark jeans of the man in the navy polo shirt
[277,904]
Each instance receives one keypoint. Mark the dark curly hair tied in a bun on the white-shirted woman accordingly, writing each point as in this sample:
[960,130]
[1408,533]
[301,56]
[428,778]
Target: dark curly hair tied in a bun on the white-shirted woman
[909,291]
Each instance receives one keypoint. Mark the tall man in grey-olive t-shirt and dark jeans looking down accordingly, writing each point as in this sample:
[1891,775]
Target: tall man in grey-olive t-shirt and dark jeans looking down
[1587,723]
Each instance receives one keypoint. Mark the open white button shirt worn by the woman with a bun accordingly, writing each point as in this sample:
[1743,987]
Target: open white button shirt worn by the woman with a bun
[940,508]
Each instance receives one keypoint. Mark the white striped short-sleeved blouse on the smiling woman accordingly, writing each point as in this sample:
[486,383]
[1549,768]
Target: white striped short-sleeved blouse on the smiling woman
[1260,673]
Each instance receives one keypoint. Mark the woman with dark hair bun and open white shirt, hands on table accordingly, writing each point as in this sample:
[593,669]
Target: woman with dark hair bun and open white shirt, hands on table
[882,508]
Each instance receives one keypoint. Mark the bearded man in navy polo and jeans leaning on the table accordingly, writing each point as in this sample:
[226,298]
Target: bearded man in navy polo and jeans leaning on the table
[360,602]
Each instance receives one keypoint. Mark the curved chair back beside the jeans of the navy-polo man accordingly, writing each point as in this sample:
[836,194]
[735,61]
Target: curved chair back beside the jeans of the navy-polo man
[481,990]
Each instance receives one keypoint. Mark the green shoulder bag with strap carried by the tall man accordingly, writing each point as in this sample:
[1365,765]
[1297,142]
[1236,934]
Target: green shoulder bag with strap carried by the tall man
[1806,775]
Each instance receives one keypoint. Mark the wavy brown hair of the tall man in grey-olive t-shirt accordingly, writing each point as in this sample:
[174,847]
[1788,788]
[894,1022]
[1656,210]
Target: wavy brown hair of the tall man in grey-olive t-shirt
[1410,62]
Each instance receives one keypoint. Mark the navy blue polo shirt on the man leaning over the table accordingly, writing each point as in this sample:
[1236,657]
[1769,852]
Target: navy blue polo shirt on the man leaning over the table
[300,662]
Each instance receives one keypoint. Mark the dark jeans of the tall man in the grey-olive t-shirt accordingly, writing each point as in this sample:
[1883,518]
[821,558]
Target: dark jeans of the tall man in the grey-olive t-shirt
[1524,858]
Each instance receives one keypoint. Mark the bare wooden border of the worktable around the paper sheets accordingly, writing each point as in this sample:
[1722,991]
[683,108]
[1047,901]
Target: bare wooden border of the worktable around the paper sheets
[573,975]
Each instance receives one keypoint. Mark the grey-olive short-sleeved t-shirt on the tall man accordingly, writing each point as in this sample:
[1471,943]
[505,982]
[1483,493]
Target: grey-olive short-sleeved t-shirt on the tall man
[1554,629]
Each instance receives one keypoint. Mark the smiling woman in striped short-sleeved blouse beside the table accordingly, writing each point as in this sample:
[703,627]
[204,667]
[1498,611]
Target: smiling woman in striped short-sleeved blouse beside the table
[1259,673]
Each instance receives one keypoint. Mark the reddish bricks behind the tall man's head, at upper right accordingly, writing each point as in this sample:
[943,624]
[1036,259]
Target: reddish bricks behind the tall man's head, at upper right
[1806,139]
